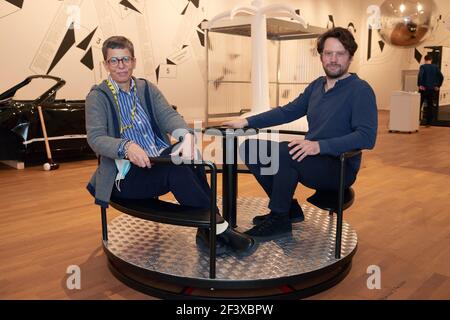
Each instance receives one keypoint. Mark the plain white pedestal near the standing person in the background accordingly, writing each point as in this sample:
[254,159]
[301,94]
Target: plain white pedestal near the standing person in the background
[405,111]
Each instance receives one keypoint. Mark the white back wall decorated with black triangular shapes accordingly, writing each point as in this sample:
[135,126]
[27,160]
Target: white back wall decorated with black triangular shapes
[160,32]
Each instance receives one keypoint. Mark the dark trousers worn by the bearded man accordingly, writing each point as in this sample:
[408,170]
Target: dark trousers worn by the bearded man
[316,172]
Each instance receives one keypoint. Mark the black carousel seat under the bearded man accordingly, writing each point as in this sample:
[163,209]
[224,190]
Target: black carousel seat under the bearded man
[329,199]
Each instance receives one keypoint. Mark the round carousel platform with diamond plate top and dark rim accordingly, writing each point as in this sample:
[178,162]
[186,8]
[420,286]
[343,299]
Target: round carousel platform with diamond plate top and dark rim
[165,261]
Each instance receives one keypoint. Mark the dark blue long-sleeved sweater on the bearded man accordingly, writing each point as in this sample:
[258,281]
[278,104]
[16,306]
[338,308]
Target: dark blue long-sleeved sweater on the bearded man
[342,119]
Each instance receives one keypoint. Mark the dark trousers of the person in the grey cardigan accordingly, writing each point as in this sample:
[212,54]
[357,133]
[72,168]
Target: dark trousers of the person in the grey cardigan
[187,183]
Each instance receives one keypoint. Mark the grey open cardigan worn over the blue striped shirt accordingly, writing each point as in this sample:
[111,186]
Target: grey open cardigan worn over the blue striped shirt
[103,130]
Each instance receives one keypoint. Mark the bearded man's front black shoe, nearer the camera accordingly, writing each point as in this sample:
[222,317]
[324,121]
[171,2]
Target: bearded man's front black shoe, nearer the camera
[276,225]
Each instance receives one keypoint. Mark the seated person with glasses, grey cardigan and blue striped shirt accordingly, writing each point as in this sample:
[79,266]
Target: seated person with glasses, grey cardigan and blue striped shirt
[128,120]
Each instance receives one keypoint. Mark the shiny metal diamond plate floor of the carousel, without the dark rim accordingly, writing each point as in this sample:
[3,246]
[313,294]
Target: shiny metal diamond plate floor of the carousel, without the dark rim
[172,250]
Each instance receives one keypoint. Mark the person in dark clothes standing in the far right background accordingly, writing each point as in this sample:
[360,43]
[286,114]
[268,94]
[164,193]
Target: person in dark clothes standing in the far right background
[429,81]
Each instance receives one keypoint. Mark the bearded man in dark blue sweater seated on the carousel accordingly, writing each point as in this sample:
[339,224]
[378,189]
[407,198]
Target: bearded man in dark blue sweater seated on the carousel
[342,116]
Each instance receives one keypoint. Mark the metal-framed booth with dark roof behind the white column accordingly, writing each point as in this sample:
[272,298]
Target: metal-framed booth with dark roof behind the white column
[293,63]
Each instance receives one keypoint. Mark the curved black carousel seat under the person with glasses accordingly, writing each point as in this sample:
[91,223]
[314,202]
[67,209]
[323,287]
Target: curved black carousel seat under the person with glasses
[165,212]
